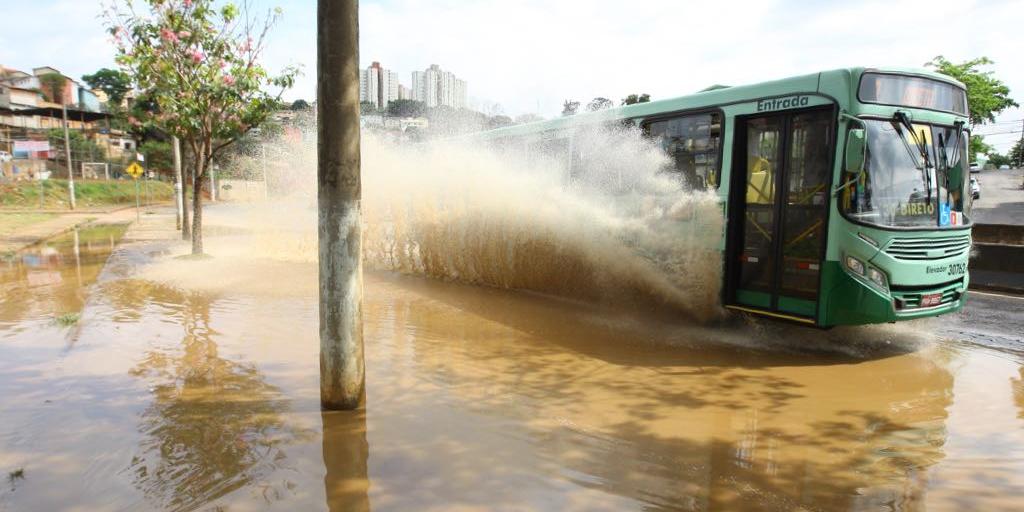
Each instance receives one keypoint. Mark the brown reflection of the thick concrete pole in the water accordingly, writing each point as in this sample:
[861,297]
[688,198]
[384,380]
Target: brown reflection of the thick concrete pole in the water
[346,454]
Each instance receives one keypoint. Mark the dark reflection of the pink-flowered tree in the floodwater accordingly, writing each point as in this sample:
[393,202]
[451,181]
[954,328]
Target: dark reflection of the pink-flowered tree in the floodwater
[215,425]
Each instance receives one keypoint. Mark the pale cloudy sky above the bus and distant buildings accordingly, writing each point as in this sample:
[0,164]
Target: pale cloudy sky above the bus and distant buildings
[530,56]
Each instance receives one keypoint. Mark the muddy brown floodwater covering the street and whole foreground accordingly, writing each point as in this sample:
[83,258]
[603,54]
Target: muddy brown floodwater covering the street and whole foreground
[193,386]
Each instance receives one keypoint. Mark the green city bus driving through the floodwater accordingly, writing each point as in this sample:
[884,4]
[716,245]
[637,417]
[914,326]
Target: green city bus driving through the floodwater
[845,193]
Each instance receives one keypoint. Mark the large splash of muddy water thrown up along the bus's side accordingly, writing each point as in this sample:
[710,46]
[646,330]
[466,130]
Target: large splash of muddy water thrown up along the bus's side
[619,230]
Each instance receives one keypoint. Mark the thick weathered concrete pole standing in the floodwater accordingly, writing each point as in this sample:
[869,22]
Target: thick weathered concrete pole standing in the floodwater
[343,378]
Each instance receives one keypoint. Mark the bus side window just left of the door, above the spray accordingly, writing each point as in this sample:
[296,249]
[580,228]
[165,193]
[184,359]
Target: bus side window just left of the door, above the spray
[693,144]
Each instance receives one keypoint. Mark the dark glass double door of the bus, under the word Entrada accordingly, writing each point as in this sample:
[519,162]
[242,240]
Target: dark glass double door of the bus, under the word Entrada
[778,214]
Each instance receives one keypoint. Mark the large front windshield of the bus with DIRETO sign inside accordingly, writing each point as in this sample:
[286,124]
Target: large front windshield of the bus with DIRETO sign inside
[911,180]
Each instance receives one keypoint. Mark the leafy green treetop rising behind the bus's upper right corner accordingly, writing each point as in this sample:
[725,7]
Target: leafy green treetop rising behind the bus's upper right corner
[987,96]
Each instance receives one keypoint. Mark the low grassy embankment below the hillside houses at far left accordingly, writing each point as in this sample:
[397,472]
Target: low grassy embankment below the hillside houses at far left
[89,194]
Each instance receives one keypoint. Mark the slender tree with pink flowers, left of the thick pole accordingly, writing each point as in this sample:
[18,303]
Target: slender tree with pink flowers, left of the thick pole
[199,65]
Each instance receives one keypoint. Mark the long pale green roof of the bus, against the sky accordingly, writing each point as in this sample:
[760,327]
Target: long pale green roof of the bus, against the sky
[710,98]
